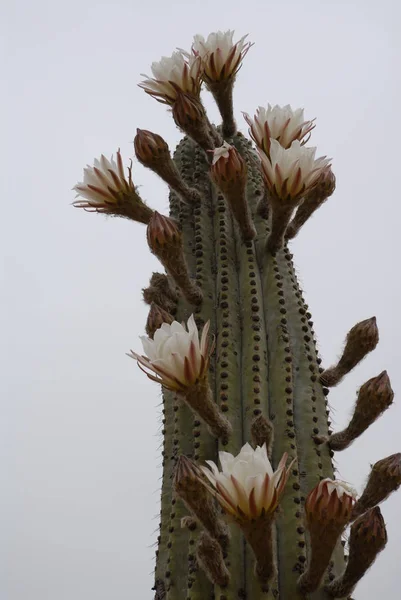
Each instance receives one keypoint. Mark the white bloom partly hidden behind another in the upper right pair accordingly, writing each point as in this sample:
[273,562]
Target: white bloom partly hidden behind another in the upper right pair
[280,123]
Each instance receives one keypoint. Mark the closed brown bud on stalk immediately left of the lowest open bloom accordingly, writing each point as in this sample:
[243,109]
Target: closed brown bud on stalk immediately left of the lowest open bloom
[189,485]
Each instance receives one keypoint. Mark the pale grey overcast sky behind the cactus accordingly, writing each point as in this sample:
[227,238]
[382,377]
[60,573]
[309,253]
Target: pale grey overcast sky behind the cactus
[80,423]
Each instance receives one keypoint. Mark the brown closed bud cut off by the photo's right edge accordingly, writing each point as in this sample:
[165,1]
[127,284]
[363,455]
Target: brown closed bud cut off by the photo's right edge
[384,478]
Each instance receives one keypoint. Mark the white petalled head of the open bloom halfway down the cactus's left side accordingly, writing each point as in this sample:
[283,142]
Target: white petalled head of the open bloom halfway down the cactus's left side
[175,357]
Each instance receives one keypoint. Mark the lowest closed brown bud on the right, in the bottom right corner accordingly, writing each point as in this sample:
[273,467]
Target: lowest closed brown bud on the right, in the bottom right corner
[368,537]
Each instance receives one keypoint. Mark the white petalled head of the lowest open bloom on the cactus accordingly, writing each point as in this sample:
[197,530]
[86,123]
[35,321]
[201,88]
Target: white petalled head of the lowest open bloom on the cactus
[247,487]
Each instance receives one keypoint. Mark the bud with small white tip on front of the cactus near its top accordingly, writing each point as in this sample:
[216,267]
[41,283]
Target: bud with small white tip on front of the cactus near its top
[229,173]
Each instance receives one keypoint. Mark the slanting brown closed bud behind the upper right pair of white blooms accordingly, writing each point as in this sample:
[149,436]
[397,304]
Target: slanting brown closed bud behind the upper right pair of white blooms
[323,189]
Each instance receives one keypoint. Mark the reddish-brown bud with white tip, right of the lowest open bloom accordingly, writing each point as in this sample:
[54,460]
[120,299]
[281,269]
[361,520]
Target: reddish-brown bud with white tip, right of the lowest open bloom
[328,509]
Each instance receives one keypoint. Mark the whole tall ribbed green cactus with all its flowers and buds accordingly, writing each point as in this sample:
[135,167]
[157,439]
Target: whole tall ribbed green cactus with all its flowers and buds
[231,342]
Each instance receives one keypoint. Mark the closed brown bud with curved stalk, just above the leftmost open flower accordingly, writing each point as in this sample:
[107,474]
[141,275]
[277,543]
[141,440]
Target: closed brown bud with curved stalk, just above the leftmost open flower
[153,152]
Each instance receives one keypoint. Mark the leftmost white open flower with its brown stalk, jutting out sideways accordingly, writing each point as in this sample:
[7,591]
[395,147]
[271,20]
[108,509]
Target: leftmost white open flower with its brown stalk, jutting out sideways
[105,189]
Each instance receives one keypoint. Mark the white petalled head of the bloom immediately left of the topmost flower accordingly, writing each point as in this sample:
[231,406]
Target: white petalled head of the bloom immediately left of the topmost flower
[172,75]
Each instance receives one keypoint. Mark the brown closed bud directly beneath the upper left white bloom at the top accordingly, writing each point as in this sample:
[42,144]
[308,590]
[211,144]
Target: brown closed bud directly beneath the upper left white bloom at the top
[190,116]
